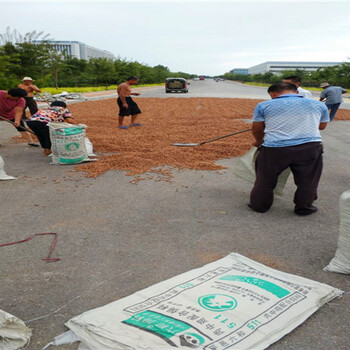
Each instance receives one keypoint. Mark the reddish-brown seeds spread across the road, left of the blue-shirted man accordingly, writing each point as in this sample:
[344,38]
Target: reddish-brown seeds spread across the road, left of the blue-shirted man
[147,153]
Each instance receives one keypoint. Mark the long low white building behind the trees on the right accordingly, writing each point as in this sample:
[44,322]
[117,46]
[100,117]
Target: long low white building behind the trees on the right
[278,67]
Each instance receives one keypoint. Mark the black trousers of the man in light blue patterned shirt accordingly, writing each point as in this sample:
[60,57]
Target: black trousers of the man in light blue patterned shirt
[305,162]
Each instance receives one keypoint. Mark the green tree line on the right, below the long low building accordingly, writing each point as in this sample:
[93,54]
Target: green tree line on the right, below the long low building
[335,75]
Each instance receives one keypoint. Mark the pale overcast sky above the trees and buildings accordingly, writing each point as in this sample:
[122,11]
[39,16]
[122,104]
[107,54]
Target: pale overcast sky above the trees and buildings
[195,37]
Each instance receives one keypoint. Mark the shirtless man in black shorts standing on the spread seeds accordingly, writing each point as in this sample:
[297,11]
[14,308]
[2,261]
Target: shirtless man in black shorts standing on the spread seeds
[127,106]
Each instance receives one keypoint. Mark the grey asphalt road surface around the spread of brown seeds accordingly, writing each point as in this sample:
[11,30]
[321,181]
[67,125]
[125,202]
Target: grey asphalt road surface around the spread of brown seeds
[116,238]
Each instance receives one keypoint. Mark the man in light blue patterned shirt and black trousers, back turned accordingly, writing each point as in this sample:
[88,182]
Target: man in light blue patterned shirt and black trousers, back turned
[287,130]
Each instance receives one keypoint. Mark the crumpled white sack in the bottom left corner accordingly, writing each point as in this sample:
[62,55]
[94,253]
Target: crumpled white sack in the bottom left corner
[14,334]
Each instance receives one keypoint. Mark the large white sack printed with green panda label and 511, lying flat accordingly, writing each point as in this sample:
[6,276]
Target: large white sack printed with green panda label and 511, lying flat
[233,303]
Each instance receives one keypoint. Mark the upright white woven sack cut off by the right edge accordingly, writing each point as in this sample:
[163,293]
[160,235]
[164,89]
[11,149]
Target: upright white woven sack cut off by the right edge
[341,262]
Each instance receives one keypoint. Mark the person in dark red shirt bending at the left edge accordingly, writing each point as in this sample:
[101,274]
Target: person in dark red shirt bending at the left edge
[11,107]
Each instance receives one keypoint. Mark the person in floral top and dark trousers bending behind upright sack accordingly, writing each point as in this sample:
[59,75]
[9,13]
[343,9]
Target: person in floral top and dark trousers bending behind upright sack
[57,113]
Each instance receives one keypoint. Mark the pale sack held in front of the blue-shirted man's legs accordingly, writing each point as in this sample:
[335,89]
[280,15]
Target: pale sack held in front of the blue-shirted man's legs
[245,169]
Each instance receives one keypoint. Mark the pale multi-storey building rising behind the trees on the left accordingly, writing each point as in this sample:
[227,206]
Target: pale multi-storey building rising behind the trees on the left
[79,50]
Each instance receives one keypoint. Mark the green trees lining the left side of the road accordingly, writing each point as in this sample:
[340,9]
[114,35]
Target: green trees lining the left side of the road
[50,68]
